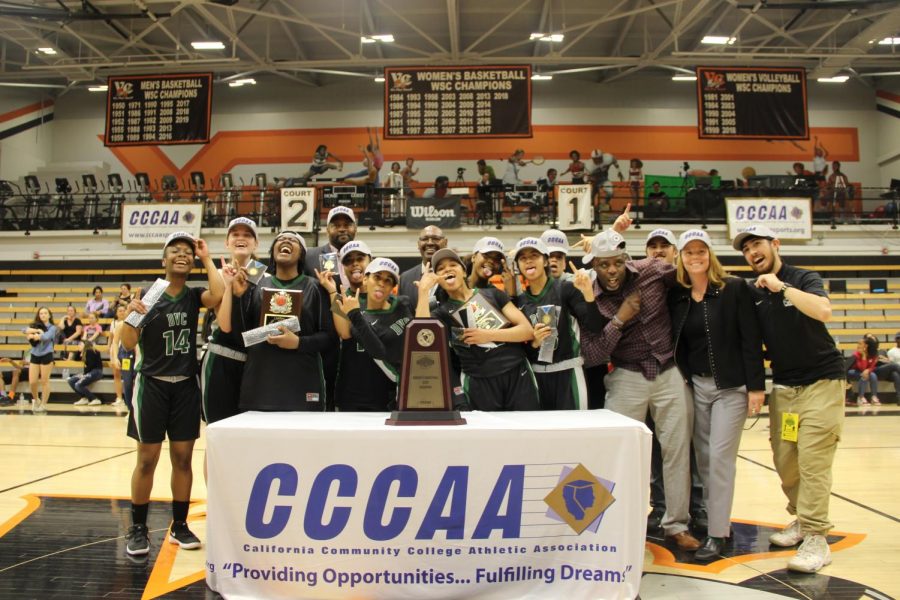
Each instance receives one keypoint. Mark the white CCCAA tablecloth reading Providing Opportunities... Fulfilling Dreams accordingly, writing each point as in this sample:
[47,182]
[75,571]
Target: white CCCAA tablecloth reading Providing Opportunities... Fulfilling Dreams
[512,505]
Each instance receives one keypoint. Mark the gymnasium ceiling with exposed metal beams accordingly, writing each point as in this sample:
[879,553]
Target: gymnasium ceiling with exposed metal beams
[318,42]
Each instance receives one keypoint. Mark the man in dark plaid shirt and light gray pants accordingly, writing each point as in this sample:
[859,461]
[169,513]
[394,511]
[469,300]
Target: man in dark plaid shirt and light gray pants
[638,341]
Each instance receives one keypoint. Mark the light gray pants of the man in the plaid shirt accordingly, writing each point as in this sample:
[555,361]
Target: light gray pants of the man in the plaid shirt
[631,394]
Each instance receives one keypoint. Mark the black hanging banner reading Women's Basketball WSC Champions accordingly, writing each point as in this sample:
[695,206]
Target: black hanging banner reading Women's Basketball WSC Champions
[457,102]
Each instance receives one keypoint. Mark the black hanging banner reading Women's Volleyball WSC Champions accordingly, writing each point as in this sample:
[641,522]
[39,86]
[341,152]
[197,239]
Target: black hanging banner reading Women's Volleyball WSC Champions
[752,102]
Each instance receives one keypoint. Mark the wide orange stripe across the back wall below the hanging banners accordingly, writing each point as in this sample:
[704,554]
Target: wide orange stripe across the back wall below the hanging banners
[294,148]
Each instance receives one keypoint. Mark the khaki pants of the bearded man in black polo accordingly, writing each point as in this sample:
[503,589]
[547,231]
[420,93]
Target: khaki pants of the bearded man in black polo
[804,466]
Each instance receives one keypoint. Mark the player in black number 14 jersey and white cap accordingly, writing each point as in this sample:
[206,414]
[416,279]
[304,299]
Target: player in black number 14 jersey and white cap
[166,392]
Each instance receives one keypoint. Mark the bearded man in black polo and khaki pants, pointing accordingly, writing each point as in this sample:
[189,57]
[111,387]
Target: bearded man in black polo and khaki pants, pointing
[808,389]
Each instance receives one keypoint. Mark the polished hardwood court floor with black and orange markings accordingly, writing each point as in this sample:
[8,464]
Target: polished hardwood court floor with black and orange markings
[64,486]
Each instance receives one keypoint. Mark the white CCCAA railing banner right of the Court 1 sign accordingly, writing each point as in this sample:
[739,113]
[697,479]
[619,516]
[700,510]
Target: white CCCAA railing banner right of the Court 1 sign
[789,218]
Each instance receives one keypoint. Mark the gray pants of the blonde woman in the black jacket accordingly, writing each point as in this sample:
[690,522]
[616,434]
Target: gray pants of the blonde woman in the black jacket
[719,417]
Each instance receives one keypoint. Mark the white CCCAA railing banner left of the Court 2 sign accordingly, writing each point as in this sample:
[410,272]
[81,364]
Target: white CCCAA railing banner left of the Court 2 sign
[151,223]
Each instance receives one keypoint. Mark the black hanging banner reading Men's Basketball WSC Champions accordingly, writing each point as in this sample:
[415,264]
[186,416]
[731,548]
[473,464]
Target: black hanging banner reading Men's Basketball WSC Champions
[158,109]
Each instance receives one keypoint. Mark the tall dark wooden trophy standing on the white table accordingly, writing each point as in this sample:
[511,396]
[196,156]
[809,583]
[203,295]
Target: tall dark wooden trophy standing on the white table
[424,395]
